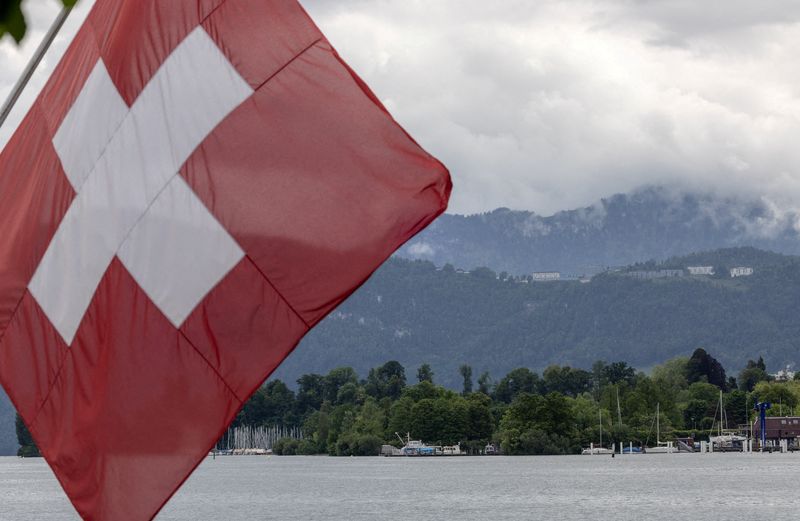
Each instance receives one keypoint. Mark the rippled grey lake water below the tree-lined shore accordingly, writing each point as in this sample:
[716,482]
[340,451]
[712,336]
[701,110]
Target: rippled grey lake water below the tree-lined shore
[705,487]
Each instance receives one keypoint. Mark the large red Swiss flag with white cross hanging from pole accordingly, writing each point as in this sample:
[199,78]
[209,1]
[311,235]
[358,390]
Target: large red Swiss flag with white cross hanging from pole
[199,183]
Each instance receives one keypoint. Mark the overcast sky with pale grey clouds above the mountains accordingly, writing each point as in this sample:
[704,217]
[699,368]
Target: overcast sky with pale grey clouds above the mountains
[549,105]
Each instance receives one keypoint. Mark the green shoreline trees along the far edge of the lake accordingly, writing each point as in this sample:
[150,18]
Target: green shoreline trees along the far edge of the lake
[558,411]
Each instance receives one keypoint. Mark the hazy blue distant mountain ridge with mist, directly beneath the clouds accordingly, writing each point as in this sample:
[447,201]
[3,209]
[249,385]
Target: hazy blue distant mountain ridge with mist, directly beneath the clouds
[654,223]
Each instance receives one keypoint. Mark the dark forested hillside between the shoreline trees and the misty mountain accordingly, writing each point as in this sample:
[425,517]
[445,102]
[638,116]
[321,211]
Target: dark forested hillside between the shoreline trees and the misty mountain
[415,313]
